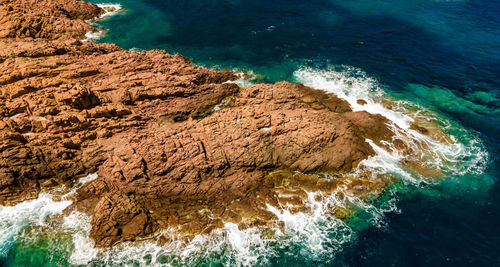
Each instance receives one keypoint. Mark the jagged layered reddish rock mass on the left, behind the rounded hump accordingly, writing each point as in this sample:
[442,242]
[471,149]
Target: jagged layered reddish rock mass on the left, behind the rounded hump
[60,96]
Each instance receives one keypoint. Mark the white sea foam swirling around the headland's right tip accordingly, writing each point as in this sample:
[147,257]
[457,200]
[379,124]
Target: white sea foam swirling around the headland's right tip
[466,153]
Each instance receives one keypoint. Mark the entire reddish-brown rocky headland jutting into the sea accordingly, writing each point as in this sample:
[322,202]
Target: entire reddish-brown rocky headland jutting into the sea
[146,123]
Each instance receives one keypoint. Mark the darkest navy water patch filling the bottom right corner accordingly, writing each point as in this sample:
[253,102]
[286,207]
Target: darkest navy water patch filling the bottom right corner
[432,232]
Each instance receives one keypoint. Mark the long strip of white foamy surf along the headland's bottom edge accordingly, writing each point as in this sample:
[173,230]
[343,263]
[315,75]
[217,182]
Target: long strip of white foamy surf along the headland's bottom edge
[319,233]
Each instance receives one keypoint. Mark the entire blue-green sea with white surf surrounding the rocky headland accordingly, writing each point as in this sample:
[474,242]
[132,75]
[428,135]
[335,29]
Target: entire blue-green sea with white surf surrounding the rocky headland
[434,60]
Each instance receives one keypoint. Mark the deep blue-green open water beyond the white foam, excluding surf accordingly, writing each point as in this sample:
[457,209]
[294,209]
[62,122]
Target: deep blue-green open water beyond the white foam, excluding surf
[443,55]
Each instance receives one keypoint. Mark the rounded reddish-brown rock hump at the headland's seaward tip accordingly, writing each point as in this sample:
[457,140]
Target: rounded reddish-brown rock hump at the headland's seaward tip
[210,162]
